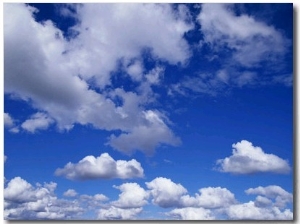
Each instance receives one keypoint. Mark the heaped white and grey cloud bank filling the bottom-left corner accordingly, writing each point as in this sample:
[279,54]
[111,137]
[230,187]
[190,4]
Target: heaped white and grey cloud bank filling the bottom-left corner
[24,201]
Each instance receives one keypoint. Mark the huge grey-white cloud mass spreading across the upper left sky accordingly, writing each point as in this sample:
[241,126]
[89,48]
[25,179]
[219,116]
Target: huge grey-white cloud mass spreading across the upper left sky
[59,70]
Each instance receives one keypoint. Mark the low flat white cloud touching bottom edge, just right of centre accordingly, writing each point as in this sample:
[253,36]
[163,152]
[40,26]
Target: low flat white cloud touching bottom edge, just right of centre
[191,213]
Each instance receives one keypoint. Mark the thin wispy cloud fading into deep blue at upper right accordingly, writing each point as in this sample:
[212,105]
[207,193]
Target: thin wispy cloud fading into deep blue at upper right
[259,42]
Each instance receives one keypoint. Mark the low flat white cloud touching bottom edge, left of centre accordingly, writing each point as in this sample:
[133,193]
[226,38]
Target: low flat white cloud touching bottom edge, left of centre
[114,213]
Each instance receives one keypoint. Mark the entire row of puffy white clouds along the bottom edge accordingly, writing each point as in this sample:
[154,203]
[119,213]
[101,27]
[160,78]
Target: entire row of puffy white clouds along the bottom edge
[24,201]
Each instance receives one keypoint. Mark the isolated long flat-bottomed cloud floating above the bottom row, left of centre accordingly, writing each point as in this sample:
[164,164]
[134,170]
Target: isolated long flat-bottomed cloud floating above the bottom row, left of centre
[102,167]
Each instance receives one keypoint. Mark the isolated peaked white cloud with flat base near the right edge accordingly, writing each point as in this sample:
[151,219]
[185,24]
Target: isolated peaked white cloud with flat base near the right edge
[247,158]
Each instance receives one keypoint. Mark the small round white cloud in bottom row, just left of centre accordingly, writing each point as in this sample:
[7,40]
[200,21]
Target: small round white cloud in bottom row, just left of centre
[132,196]
